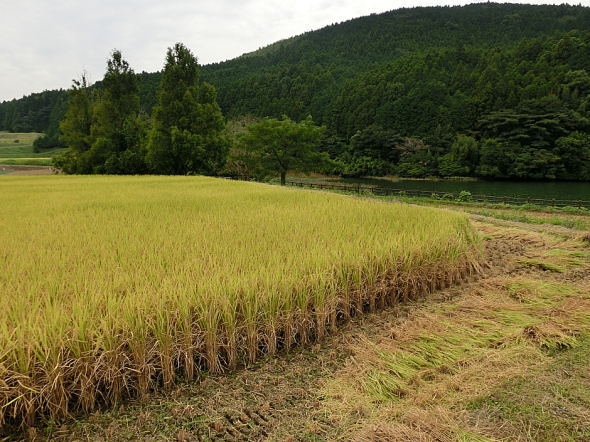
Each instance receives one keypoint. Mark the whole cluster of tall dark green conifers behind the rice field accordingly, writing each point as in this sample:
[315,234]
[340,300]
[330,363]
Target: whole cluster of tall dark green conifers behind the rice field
[107,132]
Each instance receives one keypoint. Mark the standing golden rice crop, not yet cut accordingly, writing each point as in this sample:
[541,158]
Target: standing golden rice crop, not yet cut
[112,287]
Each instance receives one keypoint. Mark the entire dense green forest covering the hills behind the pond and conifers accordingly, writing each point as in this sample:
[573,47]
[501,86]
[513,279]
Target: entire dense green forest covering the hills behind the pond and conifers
[489,90]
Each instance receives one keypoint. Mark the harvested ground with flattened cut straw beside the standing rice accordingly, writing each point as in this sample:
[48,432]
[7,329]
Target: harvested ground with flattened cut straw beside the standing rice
[442,368]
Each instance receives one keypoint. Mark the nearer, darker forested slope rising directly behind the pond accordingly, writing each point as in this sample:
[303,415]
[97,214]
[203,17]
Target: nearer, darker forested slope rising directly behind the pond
[512,104]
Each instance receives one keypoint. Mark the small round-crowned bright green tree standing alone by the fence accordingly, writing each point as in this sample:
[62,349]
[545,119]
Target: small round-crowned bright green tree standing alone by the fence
[281,145]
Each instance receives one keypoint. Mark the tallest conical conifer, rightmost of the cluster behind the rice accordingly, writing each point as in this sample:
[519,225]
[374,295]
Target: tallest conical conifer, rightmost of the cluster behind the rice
[187,134]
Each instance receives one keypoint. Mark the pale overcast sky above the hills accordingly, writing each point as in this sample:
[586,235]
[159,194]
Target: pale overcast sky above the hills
[44,44]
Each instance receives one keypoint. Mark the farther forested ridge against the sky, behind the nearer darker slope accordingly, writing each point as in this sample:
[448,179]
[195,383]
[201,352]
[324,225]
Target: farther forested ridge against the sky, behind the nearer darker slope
[304,74]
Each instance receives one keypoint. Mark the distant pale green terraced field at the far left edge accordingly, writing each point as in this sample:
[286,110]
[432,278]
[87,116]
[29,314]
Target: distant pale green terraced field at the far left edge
[17,148]
